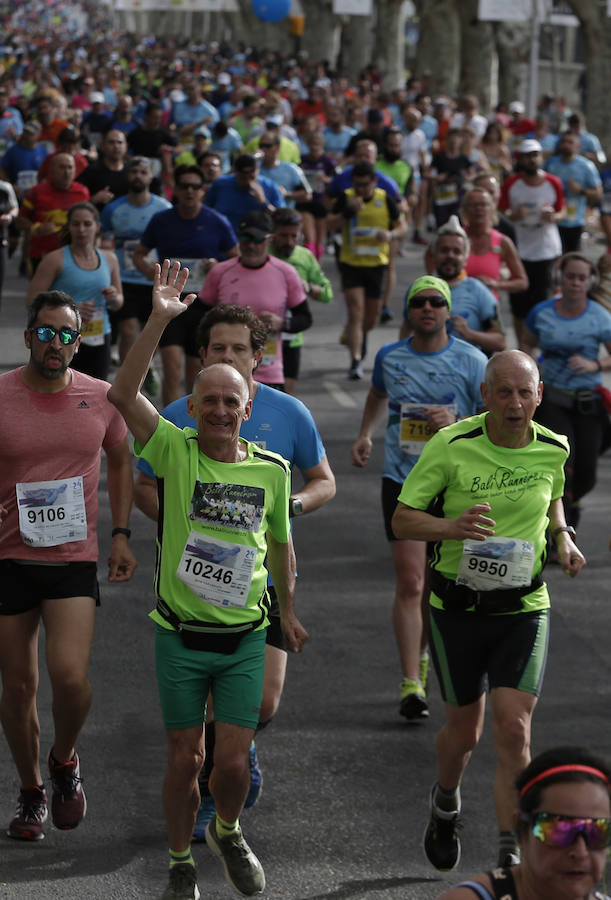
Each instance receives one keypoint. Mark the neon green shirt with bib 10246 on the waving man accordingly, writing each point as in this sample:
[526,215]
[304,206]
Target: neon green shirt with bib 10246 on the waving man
[213,519]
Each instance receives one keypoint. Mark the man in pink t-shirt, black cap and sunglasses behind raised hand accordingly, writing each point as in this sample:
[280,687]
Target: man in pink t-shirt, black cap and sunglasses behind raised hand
[269,286]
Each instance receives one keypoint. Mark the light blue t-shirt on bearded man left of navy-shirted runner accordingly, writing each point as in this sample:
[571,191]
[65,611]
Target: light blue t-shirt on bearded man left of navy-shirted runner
[127,222]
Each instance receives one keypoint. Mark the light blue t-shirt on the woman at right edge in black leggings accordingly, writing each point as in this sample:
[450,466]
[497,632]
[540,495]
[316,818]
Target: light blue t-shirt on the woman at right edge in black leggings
[560,338]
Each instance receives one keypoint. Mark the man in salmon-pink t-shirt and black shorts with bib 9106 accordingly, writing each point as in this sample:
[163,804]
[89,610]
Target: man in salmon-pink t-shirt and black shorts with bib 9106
[56,421]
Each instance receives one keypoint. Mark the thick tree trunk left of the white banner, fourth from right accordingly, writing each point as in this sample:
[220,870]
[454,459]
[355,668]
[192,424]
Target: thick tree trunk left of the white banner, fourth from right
[439,40]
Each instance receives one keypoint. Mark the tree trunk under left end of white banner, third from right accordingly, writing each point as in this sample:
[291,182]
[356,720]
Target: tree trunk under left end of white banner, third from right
[476,53]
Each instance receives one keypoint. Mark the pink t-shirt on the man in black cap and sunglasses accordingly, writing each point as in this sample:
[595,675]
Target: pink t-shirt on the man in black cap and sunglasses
[274,286]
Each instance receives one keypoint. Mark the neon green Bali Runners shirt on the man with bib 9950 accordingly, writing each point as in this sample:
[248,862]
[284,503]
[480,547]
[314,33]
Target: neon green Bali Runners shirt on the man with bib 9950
[461,467]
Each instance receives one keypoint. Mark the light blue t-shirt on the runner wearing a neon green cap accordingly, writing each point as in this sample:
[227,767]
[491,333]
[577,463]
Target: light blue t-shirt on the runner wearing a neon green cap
[450,376]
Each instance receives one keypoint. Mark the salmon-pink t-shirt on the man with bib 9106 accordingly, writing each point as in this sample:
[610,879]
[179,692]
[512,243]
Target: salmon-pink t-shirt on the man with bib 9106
[50,437]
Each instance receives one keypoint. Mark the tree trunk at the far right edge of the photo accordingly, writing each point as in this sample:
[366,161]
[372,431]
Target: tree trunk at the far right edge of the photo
[597,34]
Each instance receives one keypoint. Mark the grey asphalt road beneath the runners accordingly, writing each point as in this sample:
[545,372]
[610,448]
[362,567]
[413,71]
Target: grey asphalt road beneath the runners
[346,780]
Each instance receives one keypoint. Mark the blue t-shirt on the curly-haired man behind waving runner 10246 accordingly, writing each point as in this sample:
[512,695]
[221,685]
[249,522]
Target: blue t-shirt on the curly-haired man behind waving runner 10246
[278,422]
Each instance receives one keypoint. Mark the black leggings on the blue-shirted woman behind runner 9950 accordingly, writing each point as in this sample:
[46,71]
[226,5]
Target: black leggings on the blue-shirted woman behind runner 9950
[585,434]
